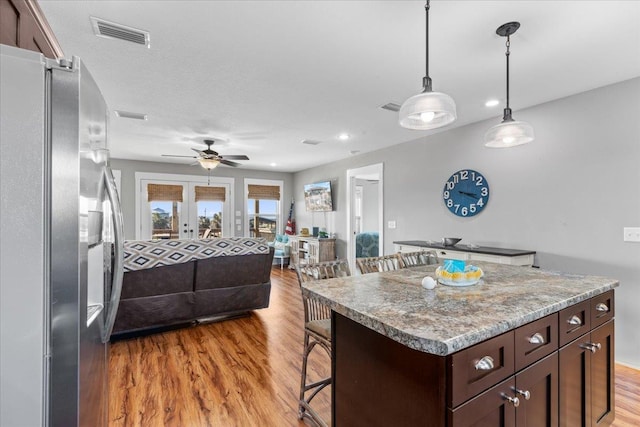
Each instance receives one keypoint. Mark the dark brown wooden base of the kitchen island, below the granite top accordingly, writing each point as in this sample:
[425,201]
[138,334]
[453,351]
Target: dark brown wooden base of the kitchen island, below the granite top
[554,371]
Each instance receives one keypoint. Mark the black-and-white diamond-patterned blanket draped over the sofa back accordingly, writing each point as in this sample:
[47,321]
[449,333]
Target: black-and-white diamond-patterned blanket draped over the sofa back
[141,254]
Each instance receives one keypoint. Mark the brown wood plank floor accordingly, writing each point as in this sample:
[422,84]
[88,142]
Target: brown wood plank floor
[244,372]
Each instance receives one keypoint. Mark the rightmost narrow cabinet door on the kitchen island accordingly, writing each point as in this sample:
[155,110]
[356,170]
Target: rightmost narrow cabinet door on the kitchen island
[602,376]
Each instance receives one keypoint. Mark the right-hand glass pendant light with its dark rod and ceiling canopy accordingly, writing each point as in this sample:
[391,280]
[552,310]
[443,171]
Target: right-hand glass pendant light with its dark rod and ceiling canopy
[510,132]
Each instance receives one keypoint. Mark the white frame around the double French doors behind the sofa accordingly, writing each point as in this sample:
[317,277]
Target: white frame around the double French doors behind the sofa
[178,178]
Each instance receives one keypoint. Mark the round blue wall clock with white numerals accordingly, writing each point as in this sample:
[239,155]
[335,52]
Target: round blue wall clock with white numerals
[466,193]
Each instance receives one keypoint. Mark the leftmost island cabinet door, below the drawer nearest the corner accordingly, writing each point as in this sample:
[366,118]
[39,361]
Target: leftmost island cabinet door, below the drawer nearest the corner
[490,409]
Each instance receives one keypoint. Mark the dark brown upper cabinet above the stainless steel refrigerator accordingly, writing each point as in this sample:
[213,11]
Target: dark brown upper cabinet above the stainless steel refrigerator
[23,25]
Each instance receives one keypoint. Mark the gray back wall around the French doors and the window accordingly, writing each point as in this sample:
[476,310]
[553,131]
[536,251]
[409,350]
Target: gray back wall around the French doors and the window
[128,182]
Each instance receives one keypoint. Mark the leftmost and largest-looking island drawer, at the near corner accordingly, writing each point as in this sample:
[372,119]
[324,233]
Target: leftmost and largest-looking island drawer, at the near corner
[479,367]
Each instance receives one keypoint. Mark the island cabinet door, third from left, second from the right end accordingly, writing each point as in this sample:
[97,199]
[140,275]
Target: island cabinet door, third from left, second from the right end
[575,375]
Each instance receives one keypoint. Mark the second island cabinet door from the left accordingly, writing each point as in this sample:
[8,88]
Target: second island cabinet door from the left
[537,391]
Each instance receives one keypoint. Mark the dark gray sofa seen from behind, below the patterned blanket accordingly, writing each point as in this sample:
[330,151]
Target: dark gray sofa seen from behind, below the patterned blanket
[184,292]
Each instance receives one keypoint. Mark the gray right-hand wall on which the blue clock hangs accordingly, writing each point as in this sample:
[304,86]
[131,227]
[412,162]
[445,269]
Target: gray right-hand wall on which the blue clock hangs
[567,195]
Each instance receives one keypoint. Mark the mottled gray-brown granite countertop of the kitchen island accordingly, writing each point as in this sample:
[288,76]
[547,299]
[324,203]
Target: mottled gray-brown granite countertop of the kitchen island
[446,319]
